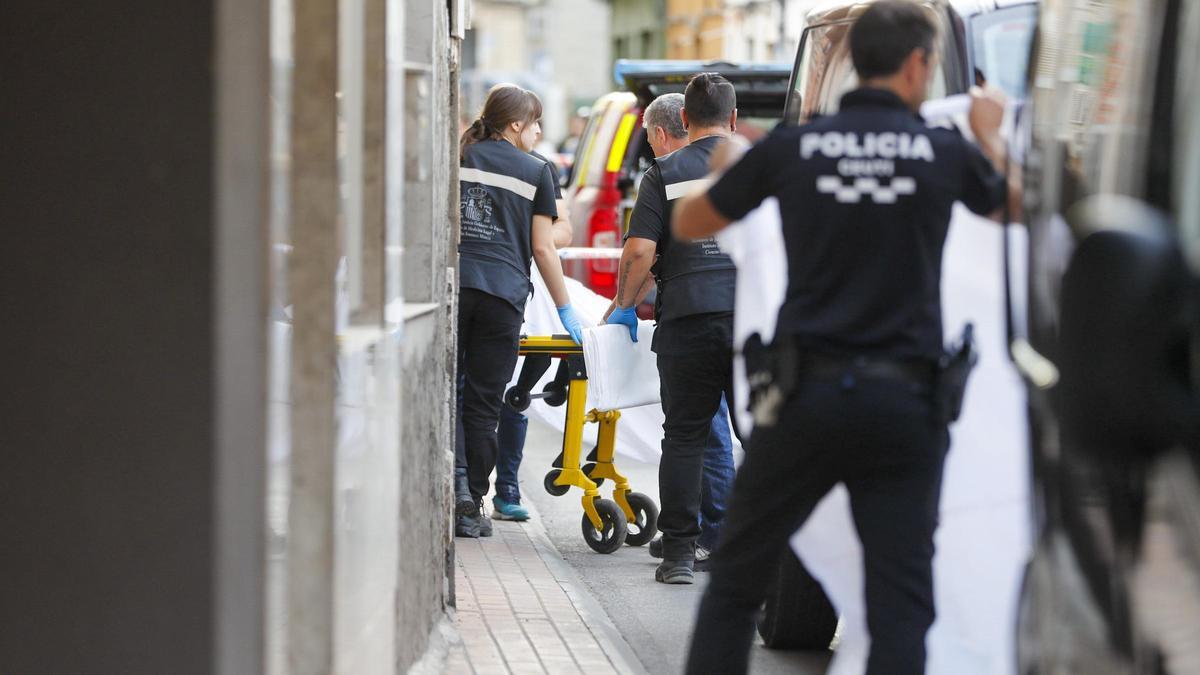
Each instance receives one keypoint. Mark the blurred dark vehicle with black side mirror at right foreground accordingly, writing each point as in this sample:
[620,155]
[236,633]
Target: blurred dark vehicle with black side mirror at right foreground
[1113,208]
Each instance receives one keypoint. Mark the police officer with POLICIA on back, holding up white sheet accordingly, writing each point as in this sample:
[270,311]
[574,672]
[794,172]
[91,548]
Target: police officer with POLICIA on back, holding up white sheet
[866,196]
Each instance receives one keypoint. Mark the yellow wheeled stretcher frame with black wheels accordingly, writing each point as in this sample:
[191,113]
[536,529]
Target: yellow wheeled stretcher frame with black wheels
[629,518]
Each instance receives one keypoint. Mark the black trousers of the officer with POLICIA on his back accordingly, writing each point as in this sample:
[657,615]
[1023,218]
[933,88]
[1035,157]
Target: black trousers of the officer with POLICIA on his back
[879,438]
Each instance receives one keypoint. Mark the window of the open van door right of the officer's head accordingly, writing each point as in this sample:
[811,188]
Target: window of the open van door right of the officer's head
[1000,47]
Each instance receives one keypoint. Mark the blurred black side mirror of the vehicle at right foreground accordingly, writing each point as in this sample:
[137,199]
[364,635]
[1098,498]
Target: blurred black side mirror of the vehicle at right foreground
[1124,344]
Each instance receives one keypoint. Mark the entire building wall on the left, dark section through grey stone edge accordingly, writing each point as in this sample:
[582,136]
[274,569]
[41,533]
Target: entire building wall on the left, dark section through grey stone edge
[235,300]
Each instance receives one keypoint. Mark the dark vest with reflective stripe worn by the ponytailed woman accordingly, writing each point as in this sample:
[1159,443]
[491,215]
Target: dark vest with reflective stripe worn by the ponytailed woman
[499,187]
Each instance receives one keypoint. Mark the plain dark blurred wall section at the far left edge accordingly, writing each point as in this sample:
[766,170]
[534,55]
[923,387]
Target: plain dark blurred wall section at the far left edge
[109,473]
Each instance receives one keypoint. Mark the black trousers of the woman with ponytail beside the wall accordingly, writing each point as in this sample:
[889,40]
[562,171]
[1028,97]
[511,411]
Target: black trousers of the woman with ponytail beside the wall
[489,336]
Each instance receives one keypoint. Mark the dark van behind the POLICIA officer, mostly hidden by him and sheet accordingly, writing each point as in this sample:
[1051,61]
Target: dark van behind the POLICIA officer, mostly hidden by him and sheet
[980,40]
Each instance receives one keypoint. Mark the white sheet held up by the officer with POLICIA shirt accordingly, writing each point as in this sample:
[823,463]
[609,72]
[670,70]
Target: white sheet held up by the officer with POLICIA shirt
[983,539]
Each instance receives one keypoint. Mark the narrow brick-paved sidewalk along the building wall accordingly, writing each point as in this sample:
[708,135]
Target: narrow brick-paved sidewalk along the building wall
[523,610]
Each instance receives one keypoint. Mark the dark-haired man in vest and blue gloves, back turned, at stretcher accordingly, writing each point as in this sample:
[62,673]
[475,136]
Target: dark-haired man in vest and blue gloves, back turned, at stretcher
[694,339]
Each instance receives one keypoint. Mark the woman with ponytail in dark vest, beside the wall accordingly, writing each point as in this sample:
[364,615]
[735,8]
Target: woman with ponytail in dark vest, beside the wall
[507,208]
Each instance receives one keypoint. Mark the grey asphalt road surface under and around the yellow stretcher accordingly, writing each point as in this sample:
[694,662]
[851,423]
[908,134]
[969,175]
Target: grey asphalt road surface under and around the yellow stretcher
[655,619]
